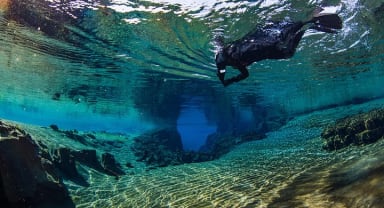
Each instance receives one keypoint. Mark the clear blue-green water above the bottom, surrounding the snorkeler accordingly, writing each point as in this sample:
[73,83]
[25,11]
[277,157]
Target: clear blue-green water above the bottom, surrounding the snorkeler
[131,67]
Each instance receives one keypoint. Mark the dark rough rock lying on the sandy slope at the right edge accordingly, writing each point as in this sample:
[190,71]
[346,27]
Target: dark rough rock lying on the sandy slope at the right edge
[359,129]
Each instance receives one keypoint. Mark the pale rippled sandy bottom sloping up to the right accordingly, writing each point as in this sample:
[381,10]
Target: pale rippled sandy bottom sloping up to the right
[287,169]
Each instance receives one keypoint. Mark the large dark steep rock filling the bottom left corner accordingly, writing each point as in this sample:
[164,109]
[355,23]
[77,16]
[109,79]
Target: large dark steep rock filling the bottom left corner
[26,178]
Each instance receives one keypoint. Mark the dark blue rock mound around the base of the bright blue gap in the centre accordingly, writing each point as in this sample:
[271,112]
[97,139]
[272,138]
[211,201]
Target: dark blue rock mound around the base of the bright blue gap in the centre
[163,147]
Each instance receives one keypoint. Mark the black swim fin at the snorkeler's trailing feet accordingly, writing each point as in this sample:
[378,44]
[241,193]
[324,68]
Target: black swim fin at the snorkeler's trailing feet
[327,22]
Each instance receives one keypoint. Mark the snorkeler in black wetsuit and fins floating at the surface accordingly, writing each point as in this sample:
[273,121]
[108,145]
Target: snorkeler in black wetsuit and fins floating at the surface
[276,40]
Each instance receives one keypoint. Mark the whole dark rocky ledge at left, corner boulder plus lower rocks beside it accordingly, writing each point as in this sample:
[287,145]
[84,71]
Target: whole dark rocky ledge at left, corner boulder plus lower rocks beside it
[32,174]
